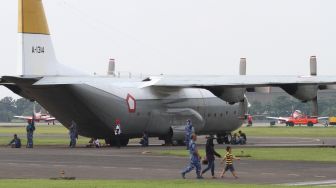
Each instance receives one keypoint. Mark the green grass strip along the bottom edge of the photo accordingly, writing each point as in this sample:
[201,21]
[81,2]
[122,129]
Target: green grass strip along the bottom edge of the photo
[127,184]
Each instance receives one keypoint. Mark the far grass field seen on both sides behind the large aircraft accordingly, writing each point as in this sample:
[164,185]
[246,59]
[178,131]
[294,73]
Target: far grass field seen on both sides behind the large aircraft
[58,135]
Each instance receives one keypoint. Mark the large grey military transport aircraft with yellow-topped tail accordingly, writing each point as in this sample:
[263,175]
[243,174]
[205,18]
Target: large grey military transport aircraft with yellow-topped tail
[158,105]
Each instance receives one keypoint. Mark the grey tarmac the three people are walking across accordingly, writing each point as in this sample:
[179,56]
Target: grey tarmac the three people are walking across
[131,163]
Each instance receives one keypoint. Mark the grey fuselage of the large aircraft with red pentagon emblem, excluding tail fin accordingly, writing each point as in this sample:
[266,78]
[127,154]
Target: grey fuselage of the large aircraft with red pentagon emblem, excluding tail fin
[97,102]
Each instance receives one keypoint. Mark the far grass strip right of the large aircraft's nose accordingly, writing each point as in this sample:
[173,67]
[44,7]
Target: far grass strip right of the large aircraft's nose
[303,131]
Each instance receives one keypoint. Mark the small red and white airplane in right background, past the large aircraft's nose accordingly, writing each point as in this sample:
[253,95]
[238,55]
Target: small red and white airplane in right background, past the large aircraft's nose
[298,118]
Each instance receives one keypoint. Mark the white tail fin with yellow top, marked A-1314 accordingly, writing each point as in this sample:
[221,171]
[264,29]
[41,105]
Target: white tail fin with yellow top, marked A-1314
[37,56]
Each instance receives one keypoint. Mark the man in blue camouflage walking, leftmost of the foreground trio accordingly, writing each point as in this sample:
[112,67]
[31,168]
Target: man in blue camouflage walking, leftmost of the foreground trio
[195,159]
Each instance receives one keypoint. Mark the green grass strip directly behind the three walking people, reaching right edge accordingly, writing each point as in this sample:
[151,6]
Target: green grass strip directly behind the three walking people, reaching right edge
[286,154]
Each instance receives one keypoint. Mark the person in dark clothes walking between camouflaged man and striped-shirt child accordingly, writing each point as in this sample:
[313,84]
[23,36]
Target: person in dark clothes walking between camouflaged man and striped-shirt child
[210,156]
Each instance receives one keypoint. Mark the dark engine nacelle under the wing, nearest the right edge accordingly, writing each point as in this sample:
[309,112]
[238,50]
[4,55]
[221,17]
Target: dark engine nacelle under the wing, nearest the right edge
[304,93]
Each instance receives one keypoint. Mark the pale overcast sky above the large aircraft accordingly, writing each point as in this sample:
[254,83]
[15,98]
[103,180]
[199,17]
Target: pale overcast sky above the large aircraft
[183,36]
